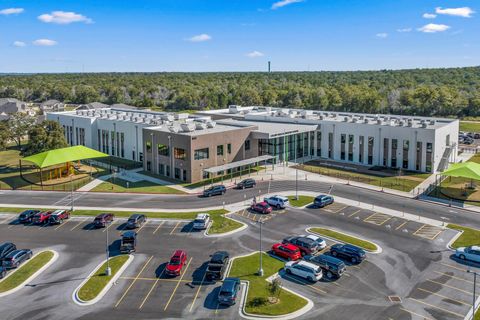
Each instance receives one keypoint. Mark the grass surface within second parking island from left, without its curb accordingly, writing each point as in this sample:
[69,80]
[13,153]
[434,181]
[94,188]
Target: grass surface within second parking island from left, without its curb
[99,280]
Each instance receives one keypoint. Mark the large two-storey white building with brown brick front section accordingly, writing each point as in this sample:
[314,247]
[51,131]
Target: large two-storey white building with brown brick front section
[187,147]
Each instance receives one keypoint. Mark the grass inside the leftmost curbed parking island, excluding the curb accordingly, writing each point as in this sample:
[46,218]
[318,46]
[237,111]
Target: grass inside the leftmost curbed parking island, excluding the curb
[25,271]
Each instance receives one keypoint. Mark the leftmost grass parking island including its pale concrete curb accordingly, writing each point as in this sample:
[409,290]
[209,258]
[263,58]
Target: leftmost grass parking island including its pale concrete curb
[28,271]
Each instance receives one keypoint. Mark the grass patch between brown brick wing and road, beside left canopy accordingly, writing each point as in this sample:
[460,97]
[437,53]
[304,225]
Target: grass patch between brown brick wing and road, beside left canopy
[120,186]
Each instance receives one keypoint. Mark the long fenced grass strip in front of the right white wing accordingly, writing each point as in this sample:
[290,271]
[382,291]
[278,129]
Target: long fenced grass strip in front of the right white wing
[403,183]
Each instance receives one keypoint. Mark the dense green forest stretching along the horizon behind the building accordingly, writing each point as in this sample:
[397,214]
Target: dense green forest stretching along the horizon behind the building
[432,92]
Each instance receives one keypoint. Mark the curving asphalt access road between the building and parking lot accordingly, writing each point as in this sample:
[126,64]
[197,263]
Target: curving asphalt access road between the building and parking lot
[422,208]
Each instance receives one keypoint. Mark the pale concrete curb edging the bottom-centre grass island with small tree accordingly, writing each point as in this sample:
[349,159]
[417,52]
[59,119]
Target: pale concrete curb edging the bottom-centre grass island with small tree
[244,314]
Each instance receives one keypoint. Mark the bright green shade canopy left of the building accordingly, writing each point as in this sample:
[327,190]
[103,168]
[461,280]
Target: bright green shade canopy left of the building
[63,155]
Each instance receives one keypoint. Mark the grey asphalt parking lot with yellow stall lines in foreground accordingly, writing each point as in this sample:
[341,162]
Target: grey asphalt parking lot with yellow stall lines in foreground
[414,277]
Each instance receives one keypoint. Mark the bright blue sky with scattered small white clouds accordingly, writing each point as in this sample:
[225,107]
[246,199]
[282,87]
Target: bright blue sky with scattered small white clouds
[237,35]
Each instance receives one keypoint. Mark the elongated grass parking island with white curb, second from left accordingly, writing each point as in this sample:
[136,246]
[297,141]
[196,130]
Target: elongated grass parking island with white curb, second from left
[94,287]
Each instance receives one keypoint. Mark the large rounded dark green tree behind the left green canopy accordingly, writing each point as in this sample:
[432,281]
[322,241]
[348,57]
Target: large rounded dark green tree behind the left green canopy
[45,136]
